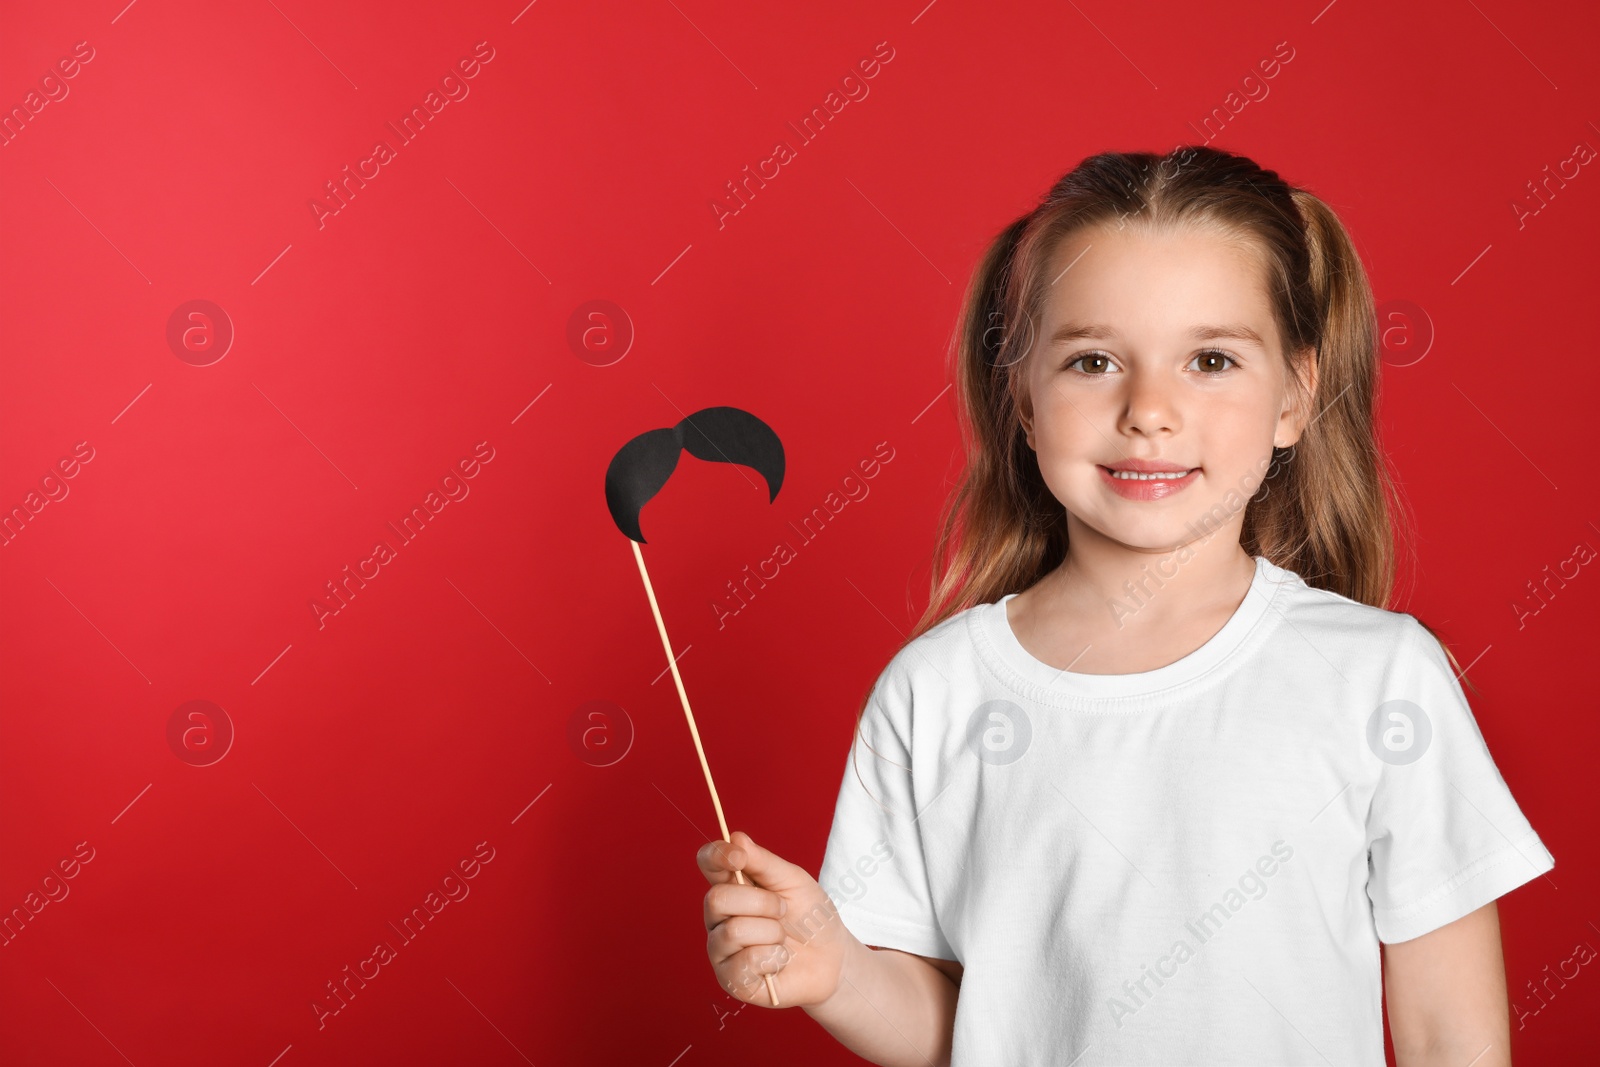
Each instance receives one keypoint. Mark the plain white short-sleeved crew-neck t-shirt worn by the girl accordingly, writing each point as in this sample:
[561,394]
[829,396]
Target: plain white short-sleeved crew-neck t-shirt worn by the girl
[1191,865]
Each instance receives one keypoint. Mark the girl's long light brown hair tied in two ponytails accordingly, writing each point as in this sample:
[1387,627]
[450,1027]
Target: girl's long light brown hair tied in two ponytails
[1334,510]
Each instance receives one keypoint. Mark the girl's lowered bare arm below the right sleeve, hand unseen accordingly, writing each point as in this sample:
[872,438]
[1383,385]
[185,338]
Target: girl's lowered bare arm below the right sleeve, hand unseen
[1447,996]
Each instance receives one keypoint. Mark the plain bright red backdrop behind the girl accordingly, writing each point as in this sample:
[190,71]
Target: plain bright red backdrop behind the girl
[374,353]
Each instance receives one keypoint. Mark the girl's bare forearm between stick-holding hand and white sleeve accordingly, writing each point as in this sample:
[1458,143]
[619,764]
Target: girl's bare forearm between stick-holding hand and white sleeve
[894,1009]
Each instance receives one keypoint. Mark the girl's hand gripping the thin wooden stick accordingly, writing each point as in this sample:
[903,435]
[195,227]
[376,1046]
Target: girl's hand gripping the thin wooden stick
[780,924]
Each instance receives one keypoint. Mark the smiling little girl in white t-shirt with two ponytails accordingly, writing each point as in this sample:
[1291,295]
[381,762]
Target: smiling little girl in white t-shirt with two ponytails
[1158,773]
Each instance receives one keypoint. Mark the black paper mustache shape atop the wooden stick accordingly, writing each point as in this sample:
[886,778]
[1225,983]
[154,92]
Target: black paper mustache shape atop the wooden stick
[716,434]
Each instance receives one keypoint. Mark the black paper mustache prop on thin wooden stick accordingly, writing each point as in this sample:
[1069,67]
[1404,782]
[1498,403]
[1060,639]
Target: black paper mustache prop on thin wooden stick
[642,468]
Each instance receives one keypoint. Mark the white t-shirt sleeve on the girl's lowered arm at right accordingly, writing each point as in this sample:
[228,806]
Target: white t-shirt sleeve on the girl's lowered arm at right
[1446,836]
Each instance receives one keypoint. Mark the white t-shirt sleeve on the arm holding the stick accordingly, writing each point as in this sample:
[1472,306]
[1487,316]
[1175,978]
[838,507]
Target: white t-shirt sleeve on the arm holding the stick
[874,866]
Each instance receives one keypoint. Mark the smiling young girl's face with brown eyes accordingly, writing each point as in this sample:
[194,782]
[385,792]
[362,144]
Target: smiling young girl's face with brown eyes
[1158,348]
